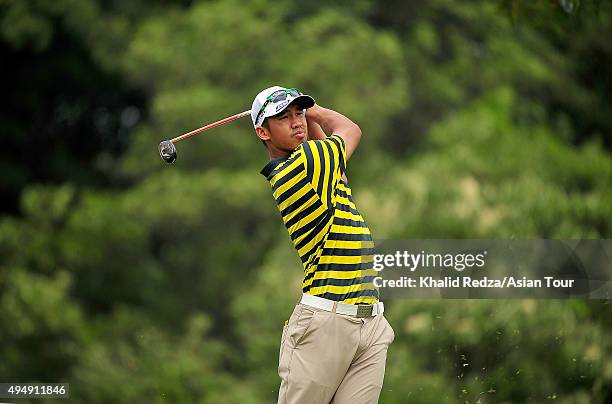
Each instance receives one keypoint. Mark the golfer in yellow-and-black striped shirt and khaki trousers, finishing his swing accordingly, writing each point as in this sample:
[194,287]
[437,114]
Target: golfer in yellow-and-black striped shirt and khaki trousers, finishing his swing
[334,345]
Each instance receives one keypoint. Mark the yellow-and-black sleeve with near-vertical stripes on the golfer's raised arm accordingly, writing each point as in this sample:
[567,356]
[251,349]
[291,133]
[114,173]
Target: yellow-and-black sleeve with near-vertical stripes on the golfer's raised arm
[325,162]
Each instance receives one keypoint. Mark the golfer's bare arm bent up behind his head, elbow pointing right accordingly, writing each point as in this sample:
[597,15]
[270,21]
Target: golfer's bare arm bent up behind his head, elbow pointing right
[332,122]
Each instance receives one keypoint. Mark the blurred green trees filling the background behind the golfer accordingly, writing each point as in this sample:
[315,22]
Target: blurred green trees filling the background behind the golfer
[139,282]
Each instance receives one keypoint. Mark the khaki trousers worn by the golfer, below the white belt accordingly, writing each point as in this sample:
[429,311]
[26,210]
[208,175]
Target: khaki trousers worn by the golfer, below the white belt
[332,358]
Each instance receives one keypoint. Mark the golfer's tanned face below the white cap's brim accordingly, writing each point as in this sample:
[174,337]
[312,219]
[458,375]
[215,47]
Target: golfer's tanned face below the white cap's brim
[287,131]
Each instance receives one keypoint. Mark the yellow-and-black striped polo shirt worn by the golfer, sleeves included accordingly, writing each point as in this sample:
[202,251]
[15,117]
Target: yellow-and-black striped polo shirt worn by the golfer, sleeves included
[330,236]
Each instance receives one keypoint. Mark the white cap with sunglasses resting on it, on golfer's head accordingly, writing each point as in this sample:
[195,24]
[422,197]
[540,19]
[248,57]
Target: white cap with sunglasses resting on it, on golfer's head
[272,108]
